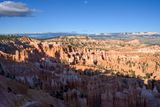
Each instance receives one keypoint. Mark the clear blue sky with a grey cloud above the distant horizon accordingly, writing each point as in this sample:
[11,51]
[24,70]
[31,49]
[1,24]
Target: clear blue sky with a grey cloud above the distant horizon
[81,16]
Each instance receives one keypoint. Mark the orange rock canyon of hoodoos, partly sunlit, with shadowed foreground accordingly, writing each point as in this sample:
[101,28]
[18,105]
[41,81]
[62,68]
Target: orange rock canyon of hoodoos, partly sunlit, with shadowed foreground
[78,72]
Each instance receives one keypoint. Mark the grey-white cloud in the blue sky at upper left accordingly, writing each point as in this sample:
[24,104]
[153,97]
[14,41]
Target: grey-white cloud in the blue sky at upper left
[14,9]
